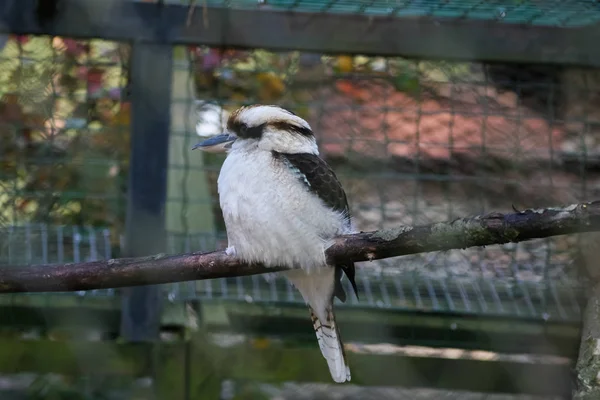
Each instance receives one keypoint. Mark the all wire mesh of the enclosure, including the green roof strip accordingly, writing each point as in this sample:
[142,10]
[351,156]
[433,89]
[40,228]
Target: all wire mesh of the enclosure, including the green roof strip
[412,141]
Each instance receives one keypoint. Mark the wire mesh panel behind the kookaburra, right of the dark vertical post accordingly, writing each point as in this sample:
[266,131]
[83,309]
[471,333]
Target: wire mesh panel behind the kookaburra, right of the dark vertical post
[416,143]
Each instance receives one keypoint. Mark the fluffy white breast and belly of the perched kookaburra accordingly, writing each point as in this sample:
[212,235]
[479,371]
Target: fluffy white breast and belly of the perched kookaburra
[270,215]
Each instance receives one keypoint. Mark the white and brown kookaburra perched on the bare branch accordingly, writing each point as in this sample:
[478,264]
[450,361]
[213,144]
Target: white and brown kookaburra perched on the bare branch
[283,205]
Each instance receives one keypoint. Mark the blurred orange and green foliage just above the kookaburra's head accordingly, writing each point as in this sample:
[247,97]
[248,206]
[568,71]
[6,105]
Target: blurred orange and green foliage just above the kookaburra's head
[244,77]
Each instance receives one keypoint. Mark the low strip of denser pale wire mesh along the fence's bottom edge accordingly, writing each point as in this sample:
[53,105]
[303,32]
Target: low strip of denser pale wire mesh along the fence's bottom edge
[395,289]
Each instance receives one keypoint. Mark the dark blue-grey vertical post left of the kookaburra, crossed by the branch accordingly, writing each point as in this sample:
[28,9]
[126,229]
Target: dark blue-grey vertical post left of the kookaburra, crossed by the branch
[150,90]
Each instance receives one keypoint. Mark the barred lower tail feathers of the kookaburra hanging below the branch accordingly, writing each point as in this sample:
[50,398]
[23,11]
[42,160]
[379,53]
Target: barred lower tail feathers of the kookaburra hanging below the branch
[331,345]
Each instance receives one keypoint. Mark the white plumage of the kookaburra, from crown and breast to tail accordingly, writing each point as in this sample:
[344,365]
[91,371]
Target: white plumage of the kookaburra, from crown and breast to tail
[272,218]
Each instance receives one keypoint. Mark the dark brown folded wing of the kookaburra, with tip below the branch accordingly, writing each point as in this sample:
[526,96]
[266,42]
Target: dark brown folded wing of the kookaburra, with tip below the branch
[320,179]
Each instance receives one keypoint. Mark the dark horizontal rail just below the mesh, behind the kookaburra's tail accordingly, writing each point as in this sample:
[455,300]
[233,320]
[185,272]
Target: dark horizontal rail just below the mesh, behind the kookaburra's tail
[381,325]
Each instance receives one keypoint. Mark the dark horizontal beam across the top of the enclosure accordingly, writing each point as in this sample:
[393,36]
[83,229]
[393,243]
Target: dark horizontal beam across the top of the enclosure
[451,39]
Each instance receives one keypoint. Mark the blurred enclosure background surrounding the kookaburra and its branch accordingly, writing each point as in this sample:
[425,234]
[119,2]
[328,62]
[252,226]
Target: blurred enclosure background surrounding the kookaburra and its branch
[427,110]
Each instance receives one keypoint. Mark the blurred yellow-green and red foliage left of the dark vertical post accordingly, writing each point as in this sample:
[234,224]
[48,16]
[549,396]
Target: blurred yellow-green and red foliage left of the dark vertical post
[63,131]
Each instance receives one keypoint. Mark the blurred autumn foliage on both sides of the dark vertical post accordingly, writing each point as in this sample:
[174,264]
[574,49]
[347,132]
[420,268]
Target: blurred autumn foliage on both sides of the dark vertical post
[64,116]
